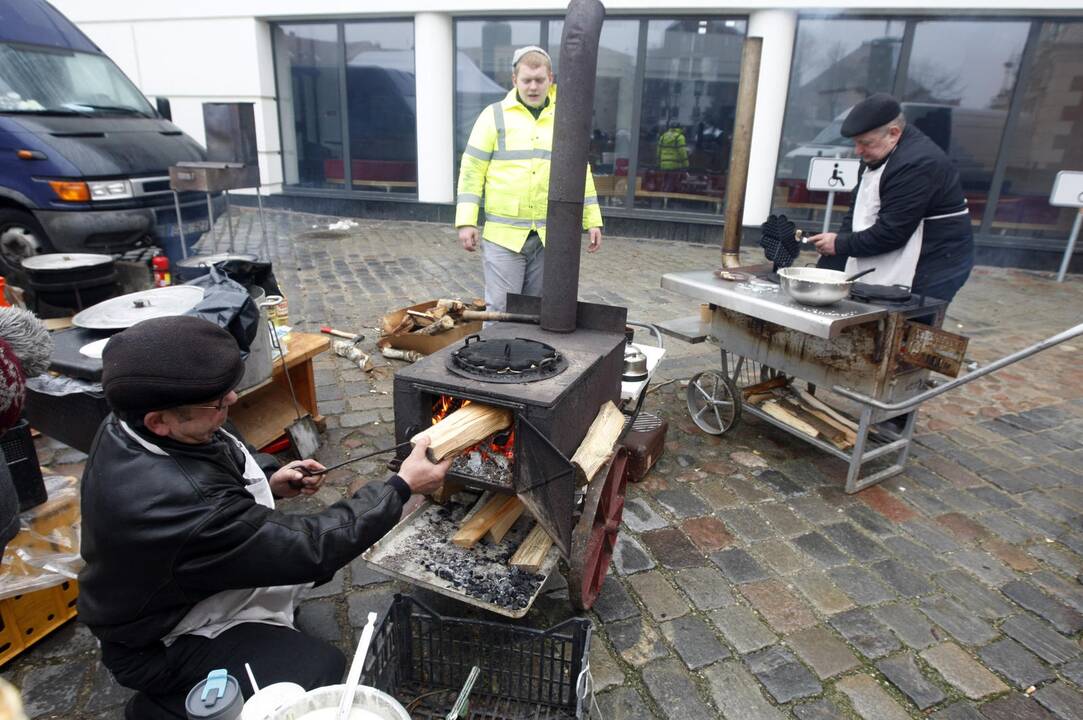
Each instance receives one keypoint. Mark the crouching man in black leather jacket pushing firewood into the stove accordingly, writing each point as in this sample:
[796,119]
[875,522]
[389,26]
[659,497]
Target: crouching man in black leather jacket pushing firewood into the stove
[190,568]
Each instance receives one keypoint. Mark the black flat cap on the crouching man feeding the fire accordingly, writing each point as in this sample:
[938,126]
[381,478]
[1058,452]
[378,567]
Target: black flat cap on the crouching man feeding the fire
[168,362]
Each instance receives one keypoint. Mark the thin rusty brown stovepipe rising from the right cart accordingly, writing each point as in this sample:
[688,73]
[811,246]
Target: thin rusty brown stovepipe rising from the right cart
[737,180]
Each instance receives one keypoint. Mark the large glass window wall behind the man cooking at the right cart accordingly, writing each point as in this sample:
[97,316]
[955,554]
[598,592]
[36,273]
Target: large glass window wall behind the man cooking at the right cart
[999,95]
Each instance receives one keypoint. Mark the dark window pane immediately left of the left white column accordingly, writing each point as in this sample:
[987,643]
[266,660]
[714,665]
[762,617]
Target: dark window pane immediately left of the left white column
[382,107]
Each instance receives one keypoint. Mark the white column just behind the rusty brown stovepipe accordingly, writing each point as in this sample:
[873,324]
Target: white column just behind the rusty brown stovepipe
[778,29]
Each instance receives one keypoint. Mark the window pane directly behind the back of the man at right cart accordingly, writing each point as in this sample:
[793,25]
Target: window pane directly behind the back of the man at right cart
[959,88]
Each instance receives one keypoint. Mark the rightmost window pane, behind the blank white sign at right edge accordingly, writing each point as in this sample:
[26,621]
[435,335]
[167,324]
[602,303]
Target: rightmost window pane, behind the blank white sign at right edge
[1047,138]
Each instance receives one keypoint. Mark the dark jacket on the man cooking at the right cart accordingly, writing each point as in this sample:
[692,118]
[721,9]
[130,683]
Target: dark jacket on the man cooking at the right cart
[919,182]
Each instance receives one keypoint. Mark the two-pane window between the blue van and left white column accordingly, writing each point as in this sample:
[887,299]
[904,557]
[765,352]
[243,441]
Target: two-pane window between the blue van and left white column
[348,90]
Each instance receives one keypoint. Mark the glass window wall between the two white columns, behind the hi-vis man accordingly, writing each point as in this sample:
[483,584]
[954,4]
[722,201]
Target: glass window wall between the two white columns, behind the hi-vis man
[664,101]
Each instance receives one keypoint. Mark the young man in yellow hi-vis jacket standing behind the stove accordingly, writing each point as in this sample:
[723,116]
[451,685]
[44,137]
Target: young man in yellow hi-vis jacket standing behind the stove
[507,163]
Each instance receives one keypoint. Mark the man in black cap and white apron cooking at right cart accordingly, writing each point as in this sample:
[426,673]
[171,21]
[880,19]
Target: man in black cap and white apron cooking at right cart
[909,217]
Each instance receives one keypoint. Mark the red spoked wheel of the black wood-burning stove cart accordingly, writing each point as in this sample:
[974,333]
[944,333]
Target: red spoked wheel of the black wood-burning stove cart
[595,534]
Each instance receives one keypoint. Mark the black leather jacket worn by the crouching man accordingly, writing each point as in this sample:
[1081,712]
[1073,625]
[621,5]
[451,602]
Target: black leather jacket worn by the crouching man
[163,533]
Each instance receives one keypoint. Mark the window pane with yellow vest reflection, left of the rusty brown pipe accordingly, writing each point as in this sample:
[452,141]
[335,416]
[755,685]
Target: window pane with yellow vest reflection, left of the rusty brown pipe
[687,121]
